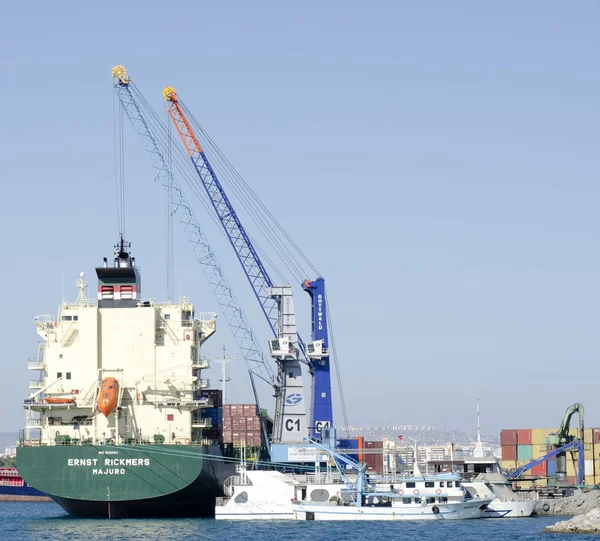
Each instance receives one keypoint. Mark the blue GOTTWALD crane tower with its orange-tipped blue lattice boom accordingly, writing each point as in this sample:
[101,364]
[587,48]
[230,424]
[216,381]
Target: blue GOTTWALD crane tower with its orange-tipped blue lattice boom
[317,354]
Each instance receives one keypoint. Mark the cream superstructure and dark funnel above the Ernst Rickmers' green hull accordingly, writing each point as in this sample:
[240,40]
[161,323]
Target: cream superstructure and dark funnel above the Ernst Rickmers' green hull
[151,349]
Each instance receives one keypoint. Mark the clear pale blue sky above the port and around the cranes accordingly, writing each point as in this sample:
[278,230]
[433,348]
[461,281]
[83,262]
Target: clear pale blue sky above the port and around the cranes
[438,161]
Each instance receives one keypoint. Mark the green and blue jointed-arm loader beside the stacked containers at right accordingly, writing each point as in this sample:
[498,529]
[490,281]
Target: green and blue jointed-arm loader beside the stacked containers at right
[562,442]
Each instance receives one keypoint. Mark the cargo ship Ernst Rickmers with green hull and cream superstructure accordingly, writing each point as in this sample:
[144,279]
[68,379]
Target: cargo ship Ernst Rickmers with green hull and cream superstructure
[116,423]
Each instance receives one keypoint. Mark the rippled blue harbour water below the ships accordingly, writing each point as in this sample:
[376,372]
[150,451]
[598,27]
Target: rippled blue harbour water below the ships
[25,521]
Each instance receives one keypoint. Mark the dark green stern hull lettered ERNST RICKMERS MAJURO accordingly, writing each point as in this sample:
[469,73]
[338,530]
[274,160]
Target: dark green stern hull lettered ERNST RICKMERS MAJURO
[127,480]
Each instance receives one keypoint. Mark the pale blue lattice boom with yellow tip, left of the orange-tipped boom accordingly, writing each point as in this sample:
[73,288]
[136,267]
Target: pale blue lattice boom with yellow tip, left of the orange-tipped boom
[242,332]
